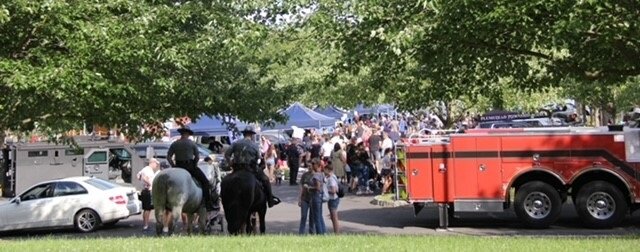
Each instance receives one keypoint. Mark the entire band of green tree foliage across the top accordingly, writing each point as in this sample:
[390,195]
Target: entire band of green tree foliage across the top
[129,63]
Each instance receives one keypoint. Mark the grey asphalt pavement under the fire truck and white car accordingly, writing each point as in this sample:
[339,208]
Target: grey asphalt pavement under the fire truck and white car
[359,216]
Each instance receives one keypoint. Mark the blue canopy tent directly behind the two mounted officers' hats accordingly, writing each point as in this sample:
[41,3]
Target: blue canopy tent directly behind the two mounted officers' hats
[211,126]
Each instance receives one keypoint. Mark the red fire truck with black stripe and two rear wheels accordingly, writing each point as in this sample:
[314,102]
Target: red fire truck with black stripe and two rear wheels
[533,170]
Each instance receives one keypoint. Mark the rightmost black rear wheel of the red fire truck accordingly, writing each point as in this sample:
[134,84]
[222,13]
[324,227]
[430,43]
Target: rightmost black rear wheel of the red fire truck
[601,205]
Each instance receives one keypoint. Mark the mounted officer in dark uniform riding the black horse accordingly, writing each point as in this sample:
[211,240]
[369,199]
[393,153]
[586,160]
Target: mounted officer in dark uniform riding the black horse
[246,153]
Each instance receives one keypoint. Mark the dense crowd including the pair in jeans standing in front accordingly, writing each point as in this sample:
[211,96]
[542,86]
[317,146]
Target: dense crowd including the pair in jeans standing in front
[355,157]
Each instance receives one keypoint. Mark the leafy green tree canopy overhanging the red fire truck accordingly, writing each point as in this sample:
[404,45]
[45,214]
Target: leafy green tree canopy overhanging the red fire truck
[416,52]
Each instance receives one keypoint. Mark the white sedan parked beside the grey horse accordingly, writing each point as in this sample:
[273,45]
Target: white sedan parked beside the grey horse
[84,203]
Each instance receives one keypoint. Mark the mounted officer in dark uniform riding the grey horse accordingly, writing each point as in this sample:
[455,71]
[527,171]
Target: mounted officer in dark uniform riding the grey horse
[186,155]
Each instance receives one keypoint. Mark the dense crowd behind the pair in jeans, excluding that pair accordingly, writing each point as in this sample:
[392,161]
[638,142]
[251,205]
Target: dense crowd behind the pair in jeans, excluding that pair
[359,153]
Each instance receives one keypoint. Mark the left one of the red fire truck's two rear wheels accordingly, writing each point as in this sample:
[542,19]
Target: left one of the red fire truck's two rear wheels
[538,204]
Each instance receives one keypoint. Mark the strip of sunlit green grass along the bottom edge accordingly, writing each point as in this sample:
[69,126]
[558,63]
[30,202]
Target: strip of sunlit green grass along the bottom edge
[329,243]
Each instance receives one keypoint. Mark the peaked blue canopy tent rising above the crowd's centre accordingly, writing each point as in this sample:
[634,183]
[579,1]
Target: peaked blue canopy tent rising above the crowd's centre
[300,116]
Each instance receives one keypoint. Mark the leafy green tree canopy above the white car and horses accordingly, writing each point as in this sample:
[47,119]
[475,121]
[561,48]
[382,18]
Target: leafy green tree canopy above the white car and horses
[128,63]
